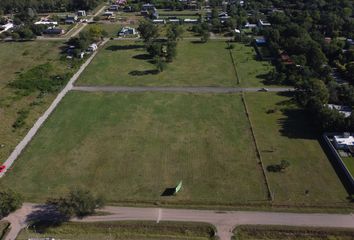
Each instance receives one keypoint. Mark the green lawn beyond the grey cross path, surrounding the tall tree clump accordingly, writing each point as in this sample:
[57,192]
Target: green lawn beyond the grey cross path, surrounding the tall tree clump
[128,64]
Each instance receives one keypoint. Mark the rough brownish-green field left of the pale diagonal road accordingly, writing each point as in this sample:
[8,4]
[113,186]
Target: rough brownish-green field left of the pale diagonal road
[17,58]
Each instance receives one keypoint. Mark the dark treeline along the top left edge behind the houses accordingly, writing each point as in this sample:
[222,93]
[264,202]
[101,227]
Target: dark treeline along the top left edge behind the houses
[13,6]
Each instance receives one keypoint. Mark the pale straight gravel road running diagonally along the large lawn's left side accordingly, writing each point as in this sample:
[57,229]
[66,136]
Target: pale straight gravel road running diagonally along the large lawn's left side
[32,132]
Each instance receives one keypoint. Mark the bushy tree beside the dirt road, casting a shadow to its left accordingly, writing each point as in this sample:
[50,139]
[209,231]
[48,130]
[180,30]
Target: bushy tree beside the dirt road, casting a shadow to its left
[77,203]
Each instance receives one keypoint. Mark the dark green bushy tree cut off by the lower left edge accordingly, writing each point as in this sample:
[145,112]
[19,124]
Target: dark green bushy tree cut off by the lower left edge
[9,202]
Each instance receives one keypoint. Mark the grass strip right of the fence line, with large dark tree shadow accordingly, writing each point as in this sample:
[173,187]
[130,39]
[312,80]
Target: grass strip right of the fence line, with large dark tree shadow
[284,132]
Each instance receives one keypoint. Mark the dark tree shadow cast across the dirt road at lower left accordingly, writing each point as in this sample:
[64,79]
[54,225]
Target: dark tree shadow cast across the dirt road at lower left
[45,216]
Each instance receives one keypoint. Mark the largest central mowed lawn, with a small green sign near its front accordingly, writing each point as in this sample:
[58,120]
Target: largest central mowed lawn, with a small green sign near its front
[134,146]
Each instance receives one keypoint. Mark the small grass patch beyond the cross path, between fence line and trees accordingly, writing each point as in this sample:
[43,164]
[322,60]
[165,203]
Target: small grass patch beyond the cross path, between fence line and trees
[249,69]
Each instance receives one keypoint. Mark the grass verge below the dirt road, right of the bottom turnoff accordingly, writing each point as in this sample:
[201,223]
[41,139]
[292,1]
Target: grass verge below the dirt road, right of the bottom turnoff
[291,233]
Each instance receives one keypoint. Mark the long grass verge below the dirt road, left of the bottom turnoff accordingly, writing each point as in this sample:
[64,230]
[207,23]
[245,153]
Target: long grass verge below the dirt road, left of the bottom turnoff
[122,230]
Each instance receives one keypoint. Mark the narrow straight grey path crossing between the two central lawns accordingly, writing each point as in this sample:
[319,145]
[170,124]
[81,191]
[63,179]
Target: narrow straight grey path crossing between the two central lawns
[175,89]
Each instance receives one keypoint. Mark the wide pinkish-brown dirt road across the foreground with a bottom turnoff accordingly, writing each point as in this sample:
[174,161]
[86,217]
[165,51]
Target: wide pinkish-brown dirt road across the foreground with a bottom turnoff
[224,221]
